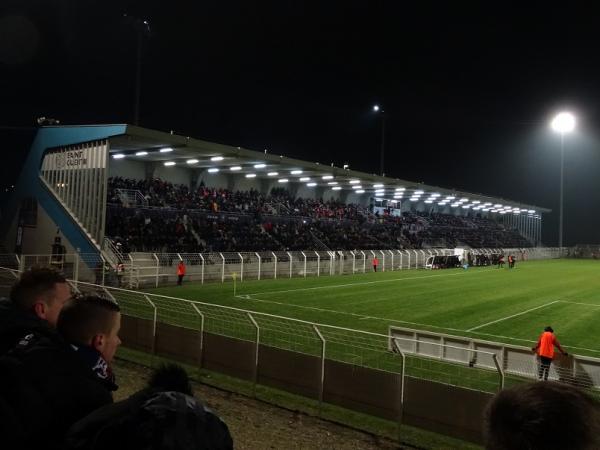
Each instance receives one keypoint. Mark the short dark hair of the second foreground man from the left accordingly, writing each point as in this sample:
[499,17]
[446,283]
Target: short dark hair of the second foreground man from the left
[86,316]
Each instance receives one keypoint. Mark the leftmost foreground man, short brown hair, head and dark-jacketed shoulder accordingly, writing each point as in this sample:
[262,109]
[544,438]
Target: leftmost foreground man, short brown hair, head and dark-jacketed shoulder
[35,301]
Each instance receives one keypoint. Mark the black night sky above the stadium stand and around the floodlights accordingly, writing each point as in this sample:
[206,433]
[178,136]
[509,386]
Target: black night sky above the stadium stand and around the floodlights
[468,91]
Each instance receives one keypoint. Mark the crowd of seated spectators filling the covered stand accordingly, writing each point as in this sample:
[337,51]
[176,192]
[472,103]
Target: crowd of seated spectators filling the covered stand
[280,222]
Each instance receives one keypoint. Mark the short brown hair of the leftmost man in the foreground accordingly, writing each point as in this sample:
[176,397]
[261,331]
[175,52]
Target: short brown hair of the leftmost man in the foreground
[35,283]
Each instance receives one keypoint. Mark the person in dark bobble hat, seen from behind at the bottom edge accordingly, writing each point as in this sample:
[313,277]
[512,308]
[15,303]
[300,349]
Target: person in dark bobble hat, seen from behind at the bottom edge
[164,415]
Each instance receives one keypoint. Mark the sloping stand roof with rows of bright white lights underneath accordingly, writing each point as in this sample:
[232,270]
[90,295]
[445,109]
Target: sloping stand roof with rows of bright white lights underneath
[144,144]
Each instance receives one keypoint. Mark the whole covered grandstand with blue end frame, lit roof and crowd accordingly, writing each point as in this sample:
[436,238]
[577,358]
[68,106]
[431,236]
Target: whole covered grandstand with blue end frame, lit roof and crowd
[94,187]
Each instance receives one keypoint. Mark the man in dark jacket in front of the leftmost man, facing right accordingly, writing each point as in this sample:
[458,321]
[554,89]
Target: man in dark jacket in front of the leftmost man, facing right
[49,383]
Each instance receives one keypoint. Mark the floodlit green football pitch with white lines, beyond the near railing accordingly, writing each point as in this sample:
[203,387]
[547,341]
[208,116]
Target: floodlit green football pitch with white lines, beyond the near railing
[502,305]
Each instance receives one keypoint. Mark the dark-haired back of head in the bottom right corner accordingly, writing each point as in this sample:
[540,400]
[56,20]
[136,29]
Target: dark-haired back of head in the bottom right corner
[542,416]
